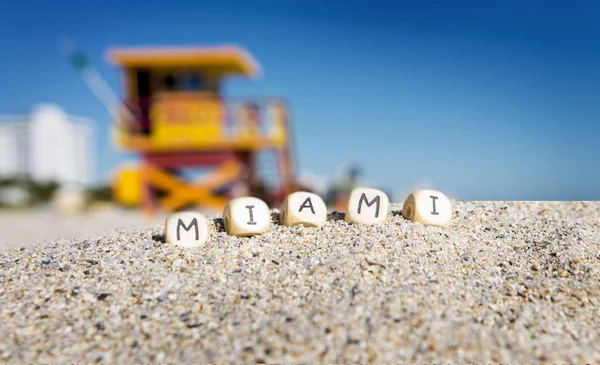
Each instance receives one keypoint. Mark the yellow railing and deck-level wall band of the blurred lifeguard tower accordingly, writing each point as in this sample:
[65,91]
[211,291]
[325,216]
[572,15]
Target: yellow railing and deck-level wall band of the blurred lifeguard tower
[198,121]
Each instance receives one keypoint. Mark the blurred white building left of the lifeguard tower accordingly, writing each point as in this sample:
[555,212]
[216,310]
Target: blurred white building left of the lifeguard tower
[48,145]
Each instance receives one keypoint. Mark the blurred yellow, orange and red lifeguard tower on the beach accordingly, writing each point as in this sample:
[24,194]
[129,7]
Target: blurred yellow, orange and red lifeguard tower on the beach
[175,118]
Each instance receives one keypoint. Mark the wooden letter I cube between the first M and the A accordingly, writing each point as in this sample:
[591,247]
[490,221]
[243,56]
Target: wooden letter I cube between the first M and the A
[246,216]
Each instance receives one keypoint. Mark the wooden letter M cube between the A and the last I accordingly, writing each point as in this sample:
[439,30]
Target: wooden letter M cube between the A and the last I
[367,206]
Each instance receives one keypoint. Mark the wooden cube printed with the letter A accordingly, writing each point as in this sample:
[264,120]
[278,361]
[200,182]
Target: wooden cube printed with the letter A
[303,208]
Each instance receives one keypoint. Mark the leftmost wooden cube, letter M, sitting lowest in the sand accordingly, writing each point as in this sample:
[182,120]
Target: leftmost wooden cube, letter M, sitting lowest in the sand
[186,229]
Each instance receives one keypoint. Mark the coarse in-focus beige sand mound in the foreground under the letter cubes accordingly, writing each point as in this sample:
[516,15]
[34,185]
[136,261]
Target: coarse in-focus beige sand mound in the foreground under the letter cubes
[508,282]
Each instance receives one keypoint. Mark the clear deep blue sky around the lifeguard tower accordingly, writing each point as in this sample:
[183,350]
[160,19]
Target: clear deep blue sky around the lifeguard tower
[480,100]
